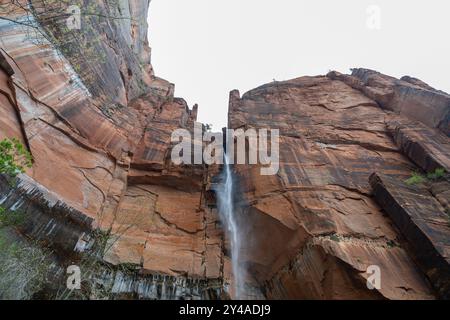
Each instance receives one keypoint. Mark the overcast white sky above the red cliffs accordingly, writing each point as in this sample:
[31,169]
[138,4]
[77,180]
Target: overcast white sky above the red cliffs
[209,47]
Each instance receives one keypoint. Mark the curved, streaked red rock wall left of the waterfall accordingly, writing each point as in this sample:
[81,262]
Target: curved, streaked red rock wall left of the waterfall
[99,133]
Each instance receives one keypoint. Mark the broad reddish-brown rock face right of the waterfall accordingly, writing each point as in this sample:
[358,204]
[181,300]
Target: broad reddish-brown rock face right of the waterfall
[313,229]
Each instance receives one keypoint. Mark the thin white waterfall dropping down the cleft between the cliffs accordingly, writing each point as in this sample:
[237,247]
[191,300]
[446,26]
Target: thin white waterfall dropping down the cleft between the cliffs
[228,216]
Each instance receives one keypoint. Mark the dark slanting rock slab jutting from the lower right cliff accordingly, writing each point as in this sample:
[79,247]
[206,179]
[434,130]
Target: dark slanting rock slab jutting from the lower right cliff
[424,222]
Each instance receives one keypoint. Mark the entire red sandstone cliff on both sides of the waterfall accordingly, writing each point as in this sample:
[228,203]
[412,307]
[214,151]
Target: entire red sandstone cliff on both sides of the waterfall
[98,123]
